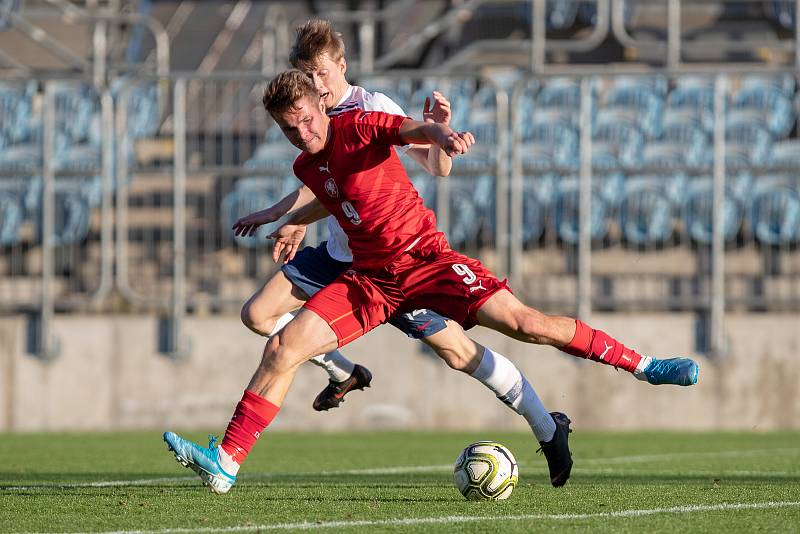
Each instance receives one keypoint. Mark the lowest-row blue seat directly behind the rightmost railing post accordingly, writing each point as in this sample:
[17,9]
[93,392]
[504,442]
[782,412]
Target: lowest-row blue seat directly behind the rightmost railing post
[698,209]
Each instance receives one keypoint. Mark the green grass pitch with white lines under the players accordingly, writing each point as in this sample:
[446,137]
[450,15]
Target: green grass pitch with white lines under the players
[402,482]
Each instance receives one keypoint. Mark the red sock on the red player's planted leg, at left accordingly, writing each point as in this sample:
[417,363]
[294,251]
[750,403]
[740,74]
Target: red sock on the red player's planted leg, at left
[251,417]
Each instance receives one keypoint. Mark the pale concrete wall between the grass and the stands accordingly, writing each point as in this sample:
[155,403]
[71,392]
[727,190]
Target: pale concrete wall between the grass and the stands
[109,376]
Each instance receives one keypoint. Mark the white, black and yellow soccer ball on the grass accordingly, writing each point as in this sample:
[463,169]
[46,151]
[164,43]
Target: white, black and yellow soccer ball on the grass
[486,471]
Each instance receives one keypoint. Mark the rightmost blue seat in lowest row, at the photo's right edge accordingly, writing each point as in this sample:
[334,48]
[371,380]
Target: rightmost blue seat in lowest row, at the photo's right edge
[775,211]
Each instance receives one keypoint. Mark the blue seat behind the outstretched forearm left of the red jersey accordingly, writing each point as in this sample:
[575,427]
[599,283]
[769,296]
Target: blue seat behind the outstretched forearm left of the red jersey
[251,194]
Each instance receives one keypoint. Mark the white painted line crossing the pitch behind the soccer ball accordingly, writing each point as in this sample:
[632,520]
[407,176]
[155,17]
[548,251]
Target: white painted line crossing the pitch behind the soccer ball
[399,470]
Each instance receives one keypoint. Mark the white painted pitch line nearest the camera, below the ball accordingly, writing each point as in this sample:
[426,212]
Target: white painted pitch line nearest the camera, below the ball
[443,520]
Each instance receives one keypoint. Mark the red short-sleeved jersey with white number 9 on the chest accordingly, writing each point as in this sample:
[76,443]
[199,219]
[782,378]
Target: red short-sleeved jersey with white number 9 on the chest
[359,179]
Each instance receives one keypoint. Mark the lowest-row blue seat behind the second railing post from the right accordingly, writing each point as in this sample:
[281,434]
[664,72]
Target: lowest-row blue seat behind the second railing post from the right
[566,213]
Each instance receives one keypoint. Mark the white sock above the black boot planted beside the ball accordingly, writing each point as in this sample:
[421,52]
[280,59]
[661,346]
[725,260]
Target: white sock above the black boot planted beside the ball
[497,373]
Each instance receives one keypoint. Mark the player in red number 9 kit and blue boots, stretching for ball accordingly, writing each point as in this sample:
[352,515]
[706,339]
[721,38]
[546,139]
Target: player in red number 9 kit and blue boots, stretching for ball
[401,262]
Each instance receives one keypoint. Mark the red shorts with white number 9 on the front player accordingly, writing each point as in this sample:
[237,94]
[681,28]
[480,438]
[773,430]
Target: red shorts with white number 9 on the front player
[430,275]
